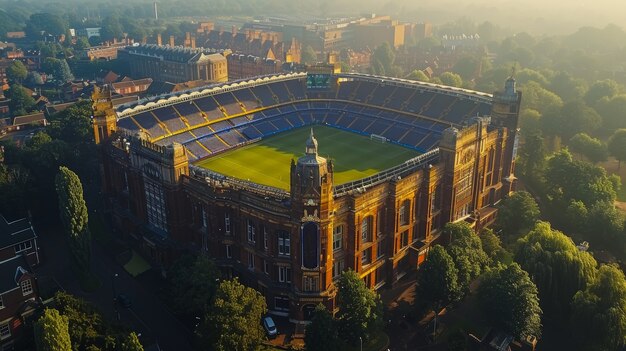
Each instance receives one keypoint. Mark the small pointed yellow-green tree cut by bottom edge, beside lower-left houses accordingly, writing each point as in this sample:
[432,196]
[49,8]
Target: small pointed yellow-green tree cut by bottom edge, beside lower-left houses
[51,332]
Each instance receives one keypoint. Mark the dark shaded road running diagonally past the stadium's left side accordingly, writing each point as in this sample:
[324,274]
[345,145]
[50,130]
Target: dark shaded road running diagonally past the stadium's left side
[147,315]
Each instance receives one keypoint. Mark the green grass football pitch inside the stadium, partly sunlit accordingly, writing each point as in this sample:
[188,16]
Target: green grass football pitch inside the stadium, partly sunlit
[267,161]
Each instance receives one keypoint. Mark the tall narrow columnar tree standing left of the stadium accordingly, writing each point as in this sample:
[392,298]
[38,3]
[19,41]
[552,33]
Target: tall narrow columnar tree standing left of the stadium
[74,217]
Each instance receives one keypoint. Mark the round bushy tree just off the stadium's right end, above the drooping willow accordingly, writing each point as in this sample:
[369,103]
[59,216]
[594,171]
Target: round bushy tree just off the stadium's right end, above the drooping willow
[517,213]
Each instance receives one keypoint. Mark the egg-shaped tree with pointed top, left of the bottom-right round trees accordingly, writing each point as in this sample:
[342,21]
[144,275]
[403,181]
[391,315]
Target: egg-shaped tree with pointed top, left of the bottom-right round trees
[437,283]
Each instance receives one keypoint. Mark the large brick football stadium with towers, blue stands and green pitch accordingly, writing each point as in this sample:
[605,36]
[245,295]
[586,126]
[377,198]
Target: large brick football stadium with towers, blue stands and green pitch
[288,180]
